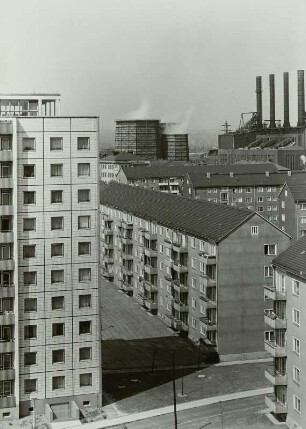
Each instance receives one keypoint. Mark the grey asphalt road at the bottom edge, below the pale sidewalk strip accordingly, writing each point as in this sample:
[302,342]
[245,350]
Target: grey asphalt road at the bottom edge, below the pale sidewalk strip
[237,414]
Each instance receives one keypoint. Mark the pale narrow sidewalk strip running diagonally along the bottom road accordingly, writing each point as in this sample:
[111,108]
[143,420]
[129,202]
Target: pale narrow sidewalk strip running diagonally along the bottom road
[167,410]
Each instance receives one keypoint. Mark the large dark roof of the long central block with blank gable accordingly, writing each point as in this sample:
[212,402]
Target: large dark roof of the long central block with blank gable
[199,218]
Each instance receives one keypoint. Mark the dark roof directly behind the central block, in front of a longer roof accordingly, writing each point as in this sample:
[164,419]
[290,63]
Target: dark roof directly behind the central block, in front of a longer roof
[200,180]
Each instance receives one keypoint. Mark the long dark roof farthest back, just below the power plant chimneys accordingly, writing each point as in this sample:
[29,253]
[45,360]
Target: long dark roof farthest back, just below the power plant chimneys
[173,170]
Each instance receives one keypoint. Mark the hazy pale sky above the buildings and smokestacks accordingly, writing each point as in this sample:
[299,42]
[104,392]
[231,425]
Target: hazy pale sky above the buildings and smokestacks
[176,60]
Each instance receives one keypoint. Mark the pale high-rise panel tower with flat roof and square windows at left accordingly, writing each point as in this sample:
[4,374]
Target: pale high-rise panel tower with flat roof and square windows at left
[49,258]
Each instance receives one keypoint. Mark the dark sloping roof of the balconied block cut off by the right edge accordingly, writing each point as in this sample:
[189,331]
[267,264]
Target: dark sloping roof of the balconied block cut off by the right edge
[293,259]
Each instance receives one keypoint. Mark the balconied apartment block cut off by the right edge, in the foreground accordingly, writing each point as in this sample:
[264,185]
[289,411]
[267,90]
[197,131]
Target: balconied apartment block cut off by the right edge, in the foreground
[285,336]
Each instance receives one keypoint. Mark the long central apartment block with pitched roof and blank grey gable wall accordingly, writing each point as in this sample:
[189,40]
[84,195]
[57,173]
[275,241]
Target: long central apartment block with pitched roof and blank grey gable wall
[199,266]
